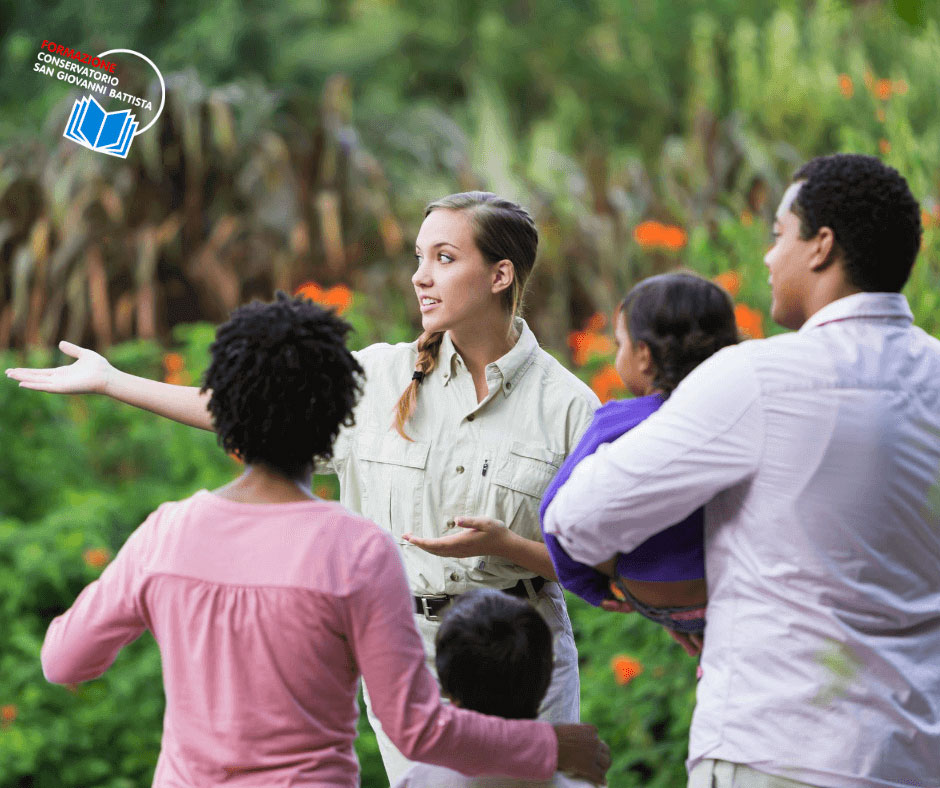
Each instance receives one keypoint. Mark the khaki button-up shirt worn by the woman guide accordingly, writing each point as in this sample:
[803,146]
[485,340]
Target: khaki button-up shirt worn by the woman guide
[492,459]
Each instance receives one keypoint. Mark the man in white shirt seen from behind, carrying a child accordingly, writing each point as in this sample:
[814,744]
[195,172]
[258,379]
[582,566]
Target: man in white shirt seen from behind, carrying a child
[817,457]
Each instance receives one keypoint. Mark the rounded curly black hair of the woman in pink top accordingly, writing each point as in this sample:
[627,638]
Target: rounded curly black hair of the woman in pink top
[283,382]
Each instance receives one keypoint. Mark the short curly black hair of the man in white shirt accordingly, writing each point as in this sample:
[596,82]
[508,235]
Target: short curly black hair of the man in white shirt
[871,212]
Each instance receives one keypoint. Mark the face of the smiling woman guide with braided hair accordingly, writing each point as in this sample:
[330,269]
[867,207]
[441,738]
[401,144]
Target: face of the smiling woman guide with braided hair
[456,288]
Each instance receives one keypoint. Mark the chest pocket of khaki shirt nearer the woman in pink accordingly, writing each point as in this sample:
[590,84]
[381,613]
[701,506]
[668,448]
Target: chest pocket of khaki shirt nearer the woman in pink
[392,478]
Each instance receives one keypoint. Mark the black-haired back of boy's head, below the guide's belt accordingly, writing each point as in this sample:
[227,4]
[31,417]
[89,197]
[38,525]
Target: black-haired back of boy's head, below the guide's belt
[494,654]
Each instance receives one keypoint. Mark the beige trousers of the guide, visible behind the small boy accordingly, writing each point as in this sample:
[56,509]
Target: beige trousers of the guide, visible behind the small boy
[562,702]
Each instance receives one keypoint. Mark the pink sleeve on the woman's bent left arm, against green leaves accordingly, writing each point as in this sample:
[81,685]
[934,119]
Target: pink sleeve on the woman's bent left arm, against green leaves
[83,642]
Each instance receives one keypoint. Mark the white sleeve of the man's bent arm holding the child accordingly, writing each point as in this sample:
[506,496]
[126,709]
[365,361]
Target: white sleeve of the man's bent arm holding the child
[707,437]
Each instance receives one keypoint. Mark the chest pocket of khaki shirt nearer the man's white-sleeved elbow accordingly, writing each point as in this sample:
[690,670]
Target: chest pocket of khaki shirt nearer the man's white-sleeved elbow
[520,477]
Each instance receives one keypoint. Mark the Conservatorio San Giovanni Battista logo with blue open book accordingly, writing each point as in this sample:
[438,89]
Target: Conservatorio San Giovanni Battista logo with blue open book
[89,123]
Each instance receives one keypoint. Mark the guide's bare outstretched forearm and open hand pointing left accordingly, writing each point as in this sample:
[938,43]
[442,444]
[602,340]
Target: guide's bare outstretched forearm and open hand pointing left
[93,374]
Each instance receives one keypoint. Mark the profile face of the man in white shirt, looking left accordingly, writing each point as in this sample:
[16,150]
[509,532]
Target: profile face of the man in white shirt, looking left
[788,261]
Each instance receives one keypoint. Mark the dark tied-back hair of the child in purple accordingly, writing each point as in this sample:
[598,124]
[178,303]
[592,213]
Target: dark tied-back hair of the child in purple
[683,318]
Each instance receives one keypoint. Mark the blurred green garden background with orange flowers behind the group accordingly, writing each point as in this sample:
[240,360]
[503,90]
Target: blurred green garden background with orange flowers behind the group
[298,147]
